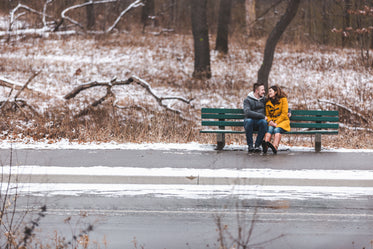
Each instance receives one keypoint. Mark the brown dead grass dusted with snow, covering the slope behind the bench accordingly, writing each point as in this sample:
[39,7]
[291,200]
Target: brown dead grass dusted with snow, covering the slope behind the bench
[166,62]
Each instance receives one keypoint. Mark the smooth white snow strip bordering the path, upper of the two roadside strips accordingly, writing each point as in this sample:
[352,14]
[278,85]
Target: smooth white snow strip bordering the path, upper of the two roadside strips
[182,172]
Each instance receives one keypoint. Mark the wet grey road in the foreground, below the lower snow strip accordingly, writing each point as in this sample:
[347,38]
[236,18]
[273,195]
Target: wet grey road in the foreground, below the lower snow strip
[191,223]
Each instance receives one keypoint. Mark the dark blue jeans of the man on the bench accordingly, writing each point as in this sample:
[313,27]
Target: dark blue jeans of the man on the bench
[251,125]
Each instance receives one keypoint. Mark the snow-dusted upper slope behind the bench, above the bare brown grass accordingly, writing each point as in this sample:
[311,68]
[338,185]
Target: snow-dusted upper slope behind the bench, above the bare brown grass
[332,75]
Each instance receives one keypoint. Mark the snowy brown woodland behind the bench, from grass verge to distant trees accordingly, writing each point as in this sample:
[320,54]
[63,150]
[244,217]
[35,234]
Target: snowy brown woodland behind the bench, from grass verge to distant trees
[323,61]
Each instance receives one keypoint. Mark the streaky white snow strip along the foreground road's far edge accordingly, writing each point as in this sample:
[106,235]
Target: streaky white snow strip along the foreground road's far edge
[243,192]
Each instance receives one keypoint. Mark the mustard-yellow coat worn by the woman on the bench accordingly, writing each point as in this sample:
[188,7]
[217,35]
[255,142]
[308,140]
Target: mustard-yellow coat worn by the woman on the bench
[279,113]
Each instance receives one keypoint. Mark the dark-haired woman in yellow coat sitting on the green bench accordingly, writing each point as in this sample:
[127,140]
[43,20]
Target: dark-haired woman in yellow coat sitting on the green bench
[277,118]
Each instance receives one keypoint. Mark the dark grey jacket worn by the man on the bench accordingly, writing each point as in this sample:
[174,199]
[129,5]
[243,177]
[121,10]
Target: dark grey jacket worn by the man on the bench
[254,108]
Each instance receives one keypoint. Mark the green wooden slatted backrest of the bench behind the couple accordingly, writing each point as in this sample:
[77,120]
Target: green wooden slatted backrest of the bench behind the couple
[309,119]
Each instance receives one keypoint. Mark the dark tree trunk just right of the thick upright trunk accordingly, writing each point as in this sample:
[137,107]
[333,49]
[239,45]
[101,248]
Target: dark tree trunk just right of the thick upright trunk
[223,26]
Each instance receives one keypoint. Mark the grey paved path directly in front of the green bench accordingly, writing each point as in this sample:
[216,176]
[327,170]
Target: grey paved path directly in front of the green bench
[190,159]
